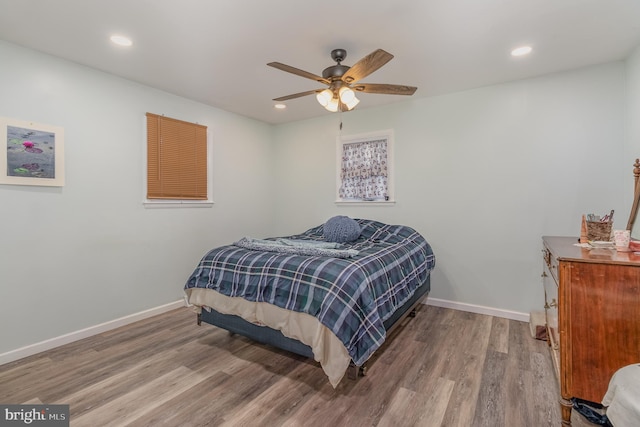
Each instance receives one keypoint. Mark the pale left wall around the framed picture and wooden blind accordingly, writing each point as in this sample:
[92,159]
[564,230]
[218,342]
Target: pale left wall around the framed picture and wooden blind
[89,252]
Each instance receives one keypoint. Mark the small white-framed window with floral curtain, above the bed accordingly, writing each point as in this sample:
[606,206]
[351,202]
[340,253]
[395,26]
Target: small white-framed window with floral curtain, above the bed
[365,168]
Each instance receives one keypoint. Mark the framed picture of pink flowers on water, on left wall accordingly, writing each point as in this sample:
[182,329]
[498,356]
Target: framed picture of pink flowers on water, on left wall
[33,153]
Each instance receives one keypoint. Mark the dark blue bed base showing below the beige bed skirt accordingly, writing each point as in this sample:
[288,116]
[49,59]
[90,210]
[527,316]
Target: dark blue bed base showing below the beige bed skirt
[275,338]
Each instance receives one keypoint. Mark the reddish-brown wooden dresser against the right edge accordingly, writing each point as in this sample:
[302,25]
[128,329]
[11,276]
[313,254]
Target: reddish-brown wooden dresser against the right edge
[592,304]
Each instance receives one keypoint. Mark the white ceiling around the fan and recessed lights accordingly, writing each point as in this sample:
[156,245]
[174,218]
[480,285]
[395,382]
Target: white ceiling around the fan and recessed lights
[216,51]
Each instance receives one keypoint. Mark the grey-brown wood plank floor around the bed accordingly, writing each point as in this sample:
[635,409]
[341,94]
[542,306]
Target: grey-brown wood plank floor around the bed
[443,368]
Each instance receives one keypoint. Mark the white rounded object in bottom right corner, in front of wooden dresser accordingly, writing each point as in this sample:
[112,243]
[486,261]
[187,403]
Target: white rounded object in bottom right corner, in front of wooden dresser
[622,398]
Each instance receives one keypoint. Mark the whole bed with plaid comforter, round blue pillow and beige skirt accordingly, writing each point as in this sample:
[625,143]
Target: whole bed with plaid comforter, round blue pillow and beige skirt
[331,296]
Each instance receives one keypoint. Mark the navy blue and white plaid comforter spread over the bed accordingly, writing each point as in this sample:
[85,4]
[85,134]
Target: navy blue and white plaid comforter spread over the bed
[351,297]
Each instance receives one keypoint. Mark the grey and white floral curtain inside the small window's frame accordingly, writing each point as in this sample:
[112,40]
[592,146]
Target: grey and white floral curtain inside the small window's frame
[364,170]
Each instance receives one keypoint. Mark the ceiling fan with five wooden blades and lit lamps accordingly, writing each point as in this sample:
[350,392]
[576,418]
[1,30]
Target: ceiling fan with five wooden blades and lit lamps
[343,80]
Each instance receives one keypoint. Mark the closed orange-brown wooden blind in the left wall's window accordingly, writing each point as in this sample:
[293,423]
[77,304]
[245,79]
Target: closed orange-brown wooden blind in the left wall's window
[176,159]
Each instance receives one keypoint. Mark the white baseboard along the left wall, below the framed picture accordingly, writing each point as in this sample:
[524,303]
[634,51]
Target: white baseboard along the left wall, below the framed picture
[32,349]
